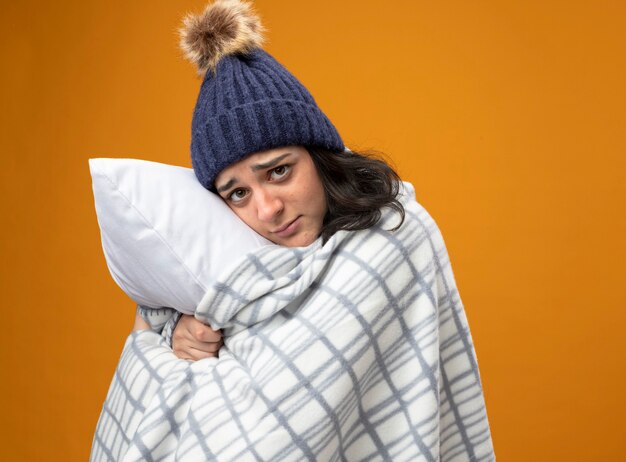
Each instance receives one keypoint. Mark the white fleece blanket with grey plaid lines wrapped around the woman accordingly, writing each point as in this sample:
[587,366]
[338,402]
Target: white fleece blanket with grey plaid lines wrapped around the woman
[351,351]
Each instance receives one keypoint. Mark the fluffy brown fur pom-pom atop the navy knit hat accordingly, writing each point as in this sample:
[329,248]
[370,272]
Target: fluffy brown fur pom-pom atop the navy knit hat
[224,27]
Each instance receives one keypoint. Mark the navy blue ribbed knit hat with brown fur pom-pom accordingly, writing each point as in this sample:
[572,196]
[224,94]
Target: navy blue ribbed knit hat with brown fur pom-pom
[248,101]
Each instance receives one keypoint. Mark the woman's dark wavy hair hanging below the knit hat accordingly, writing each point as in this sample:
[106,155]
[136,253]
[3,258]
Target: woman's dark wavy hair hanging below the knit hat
[357,185]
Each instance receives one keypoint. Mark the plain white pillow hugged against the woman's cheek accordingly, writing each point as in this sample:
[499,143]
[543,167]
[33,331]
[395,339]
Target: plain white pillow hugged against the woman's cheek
[165,237]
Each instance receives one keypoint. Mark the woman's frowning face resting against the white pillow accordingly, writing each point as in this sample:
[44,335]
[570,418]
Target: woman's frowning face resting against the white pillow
[278,193]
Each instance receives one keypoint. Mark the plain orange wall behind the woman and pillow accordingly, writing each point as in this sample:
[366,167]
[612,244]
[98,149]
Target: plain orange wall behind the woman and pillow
[508,117]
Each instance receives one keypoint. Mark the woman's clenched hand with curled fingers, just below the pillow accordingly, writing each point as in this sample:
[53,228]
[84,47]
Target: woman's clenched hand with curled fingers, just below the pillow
[194,340]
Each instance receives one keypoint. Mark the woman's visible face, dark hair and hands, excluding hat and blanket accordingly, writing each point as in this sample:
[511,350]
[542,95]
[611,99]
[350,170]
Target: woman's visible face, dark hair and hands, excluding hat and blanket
[292,196]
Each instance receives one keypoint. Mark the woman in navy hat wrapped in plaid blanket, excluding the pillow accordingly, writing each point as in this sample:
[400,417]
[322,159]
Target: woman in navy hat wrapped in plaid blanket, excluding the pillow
[346,341]
